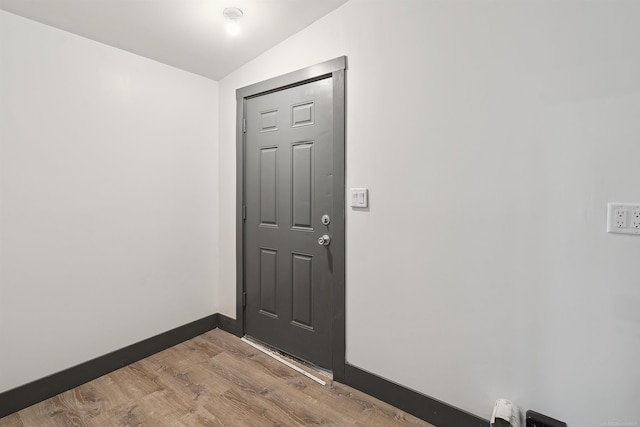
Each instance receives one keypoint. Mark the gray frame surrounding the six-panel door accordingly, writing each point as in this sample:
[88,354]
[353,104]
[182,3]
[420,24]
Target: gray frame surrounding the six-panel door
[335,69]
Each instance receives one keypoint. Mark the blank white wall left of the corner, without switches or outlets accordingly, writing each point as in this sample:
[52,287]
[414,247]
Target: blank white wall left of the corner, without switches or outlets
[108,226]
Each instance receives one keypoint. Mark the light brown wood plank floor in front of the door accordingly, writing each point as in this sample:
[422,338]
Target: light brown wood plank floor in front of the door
[212,380]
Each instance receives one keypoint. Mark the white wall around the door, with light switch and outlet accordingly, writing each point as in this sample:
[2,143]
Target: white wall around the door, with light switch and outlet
[491,135]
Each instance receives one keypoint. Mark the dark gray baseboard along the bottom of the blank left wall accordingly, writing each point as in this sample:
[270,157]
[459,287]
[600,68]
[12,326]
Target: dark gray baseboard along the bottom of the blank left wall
[26,395]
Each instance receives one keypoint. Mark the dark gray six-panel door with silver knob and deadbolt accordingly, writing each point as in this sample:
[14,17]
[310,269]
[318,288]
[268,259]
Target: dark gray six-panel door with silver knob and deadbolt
[289,206]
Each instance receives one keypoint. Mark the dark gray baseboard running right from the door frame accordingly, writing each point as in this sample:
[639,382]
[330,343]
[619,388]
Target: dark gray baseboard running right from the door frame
[424,407]
